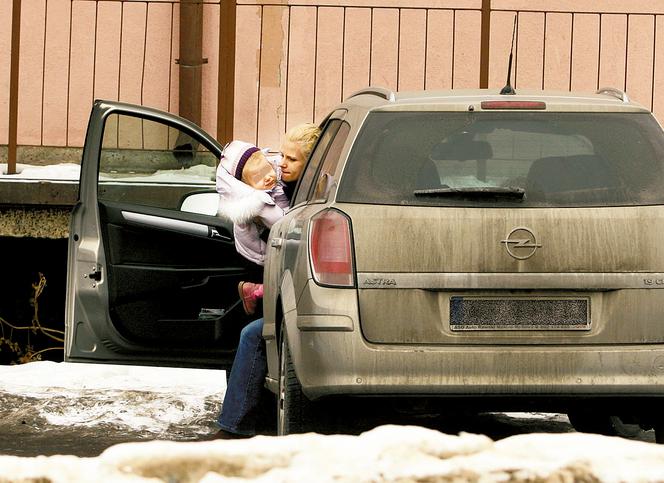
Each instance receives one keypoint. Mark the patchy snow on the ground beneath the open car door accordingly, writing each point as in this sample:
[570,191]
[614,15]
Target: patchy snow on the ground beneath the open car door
[149,399]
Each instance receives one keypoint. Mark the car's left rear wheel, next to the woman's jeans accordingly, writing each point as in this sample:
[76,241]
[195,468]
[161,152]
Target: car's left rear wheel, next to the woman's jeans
[294,410]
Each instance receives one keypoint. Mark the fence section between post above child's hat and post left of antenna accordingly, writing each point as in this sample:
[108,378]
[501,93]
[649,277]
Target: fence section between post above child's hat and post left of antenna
[298,61]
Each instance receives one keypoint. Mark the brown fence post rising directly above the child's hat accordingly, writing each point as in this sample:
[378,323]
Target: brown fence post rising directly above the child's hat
[226,90]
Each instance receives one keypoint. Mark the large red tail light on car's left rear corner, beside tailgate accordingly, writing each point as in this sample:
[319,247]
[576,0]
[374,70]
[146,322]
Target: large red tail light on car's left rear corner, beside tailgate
[330,248]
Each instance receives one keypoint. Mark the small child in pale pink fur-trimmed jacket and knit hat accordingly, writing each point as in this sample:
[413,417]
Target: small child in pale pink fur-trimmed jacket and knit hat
[252,197]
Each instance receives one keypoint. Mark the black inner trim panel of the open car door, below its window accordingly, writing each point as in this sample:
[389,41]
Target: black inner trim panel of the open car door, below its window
[160,280]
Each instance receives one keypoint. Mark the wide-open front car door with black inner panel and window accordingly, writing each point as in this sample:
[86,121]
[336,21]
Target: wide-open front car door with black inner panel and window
[152,277]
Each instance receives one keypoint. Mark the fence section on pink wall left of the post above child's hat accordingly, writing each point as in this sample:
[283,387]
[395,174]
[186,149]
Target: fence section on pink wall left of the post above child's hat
[74,51]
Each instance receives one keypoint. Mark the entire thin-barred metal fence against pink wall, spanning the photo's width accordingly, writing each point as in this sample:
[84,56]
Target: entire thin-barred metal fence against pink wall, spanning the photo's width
[294,60]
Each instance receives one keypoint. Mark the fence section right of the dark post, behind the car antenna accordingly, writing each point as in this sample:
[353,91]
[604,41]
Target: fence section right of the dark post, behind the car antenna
[585,50]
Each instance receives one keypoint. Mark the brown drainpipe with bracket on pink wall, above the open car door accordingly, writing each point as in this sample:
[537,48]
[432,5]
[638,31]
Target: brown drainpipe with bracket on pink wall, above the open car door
[191,60]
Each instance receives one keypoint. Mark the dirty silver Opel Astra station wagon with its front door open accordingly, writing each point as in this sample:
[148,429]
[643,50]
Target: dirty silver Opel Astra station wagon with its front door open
[443,250]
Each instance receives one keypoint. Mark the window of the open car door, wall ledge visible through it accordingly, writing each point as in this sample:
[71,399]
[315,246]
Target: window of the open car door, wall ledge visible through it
[149,163]
